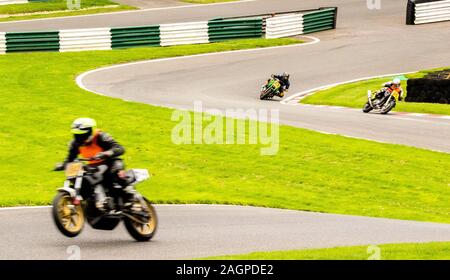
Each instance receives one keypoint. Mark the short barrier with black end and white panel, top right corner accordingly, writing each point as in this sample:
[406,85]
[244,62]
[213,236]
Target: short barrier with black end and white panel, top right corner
[427,11]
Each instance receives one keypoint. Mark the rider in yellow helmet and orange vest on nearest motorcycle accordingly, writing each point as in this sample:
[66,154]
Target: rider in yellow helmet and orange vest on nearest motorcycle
[90,142]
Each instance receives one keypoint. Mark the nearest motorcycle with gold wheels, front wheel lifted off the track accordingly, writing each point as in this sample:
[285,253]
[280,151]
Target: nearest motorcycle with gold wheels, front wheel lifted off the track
[73,204]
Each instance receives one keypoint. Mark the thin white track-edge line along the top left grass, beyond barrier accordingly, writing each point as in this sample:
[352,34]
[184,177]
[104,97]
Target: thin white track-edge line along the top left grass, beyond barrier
[133,11]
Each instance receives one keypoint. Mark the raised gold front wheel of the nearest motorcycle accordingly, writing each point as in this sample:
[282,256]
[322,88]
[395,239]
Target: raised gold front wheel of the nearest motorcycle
[69,218]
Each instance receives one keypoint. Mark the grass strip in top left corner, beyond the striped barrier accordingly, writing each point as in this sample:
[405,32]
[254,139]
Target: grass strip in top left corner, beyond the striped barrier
[57,8]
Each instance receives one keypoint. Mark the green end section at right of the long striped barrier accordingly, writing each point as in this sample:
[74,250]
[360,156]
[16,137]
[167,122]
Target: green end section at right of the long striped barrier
[320,20]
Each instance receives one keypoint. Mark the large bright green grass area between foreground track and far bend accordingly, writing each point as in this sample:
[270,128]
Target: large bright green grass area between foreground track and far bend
[312,171]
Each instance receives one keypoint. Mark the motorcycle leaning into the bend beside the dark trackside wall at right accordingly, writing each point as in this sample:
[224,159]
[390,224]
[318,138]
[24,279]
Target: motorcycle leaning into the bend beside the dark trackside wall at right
[382,101]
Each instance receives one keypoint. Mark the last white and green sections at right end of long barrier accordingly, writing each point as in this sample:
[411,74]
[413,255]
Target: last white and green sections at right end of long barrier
[301,23]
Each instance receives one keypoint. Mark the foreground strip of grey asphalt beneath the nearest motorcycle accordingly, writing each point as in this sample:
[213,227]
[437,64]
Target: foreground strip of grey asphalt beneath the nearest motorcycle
[195,231]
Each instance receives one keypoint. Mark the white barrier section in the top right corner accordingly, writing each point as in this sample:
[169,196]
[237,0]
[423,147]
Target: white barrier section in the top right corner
[432,12]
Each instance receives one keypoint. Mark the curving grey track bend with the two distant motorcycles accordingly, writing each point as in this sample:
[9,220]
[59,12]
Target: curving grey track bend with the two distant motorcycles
[358,48]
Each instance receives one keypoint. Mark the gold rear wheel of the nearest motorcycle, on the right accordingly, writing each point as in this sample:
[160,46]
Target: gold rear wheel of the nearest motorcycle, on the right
[140,231]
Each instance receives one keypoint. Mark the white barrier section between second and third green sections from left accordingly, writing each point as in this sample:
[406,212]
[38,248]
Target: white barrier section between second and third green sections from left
[184,33]
